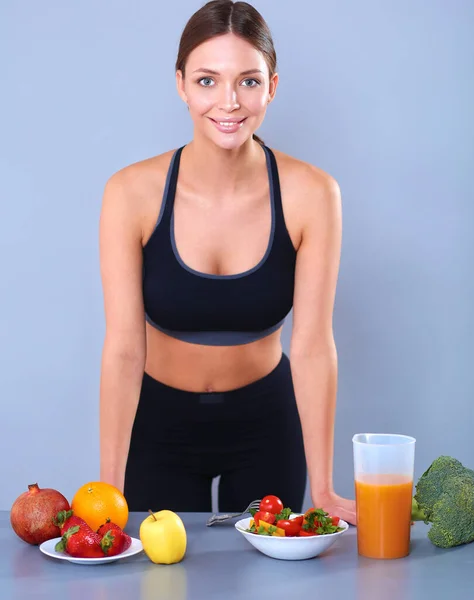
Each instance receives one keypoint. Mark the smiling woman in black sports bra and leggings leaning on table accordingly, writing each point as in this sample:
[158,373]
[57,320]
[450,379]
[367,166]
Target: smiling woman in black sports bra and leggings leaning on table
[204,251]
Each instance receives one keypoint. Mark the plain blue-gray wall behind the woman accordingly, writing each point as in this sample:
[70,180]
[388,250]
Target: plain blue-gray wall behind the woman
[379,94]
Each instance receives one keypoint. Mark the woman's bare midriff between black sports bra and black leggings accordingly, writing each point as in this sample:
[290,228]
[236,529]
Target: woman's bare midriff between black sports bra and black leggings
[199,368]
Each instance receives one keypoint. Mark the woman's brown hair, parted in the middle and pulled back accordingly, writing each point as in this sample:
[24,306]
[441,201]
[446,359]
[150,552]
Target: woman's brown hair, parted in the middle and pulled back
[219,17]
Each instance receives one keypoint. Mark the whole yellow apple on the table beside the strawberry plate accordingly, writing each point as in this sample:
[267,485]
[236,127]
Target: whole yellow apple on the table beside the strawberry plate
[163,536]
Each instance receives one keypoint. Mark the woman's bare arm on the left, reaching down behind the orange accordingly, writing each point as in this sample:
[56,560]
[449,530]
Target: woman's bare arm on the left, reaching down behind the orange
[123,356]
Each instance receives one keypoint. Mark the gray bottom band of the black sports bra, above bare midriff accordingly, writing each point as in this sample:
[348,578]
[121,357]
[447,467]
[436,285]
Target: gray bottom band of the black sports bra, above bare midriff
[217,338]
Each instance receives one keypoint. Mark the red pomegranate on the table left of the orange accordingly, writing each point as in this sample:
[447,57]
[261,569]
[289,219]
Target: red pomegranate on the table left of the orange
[33,512]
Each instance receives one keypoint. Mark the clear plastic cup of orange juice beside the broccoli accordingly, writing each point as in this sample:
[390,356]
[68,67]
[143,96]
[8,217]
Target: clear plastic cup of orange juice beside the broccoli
[383,473]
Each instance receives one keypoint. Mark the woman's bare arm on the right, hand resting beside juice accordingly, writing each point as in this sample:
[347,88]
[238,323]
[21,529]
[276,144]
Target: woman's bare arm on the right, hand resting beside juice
[313,351]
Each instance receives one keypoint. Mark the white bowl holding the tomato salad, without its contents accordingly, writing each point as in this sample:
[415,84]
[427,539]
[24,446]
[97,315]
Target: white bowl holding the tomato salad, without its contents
[290,548]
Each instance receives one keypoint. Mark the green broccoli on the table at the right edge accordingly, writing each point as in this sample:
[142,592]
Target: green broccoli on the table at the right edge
[445,498]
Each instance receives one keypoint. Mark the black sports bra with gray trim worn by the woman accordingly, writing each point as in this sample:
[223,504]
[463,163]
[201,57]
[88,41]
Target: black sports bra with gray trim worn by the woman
[217,310]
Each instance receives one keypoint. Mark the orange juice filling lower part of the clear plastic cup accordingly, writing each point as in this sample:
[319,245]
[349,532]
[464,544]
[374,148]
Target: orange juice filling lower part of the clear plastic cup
[383,504]
